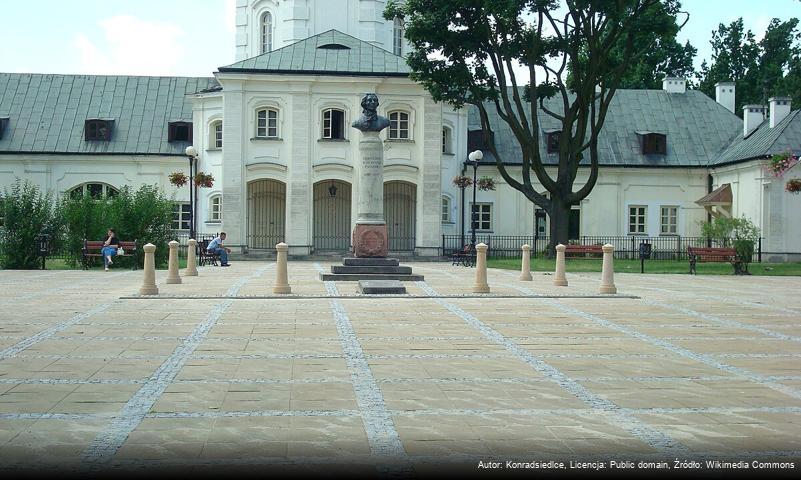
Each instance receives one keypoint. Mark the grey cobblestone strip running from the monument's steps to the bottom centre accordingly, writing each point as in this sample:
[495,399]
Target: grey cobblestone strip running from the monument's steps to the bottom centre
[384,440]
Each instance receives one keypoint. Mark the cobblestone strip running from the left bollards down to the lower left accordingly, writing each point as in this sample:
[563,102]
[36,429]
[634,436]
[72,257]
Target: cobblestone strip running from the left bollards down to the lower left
[106,443]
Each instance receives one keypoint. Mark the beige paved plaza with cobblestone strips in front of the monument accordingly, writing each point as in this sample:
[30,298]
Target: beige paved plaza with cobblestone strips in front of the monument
[218,372]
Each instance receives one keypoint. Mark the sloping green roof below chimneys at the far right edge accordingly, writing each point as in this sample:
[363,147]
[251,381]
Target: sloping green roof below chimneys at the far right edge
[765,141]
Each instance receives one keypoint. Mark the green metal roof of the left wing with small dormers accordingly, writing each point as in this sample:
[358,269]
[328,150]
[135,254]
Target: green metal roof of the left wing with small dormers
[47,113]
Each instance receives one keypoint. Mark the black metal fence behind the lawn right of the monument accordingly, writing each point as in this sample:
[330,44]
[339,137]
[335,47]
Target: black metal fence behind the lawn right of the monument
[662,247]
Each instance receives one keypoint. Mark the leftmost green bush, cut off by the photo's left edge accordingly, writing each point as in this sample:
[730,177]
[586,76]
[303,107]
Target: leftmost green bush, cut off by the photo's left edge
[27,213]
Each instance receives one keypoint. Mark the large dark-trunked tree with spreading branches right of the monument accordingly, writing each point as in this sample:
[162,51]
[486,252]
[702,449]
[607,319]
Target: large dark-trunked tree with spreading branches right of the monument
[465,52]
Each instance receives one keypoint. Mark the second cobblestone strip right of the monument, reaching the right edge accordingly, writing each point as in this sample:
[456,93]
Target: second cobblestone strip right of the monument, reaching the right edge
[662,343]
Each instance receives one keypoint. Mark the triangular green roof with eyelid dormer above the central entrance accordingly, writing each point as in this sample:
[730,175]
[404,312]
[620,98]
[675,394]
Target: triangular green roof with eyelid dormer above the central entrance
[329,53]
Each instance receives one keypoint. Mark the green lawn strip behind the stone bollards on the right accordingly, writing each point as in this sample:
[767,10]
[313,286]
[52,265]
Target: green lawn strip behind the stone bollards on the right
[651,266]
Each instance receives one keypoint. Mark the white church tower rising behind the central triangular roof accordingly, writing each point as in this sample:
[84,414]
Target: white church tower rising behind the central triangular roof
[266,25]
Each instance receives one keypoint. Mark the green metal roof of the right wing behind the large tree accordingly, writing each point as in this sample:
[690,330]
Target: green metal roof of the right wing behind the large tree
[697,129]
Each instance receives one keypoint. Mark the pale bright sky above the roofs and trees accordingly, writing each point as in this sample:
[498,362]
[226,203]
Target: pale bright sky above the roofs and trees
[194,37]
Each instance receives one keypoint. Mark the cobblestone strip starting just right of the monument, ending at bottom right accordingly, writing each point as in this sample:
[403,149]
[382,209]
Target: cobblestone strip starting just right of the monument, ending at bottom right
[616,415]
